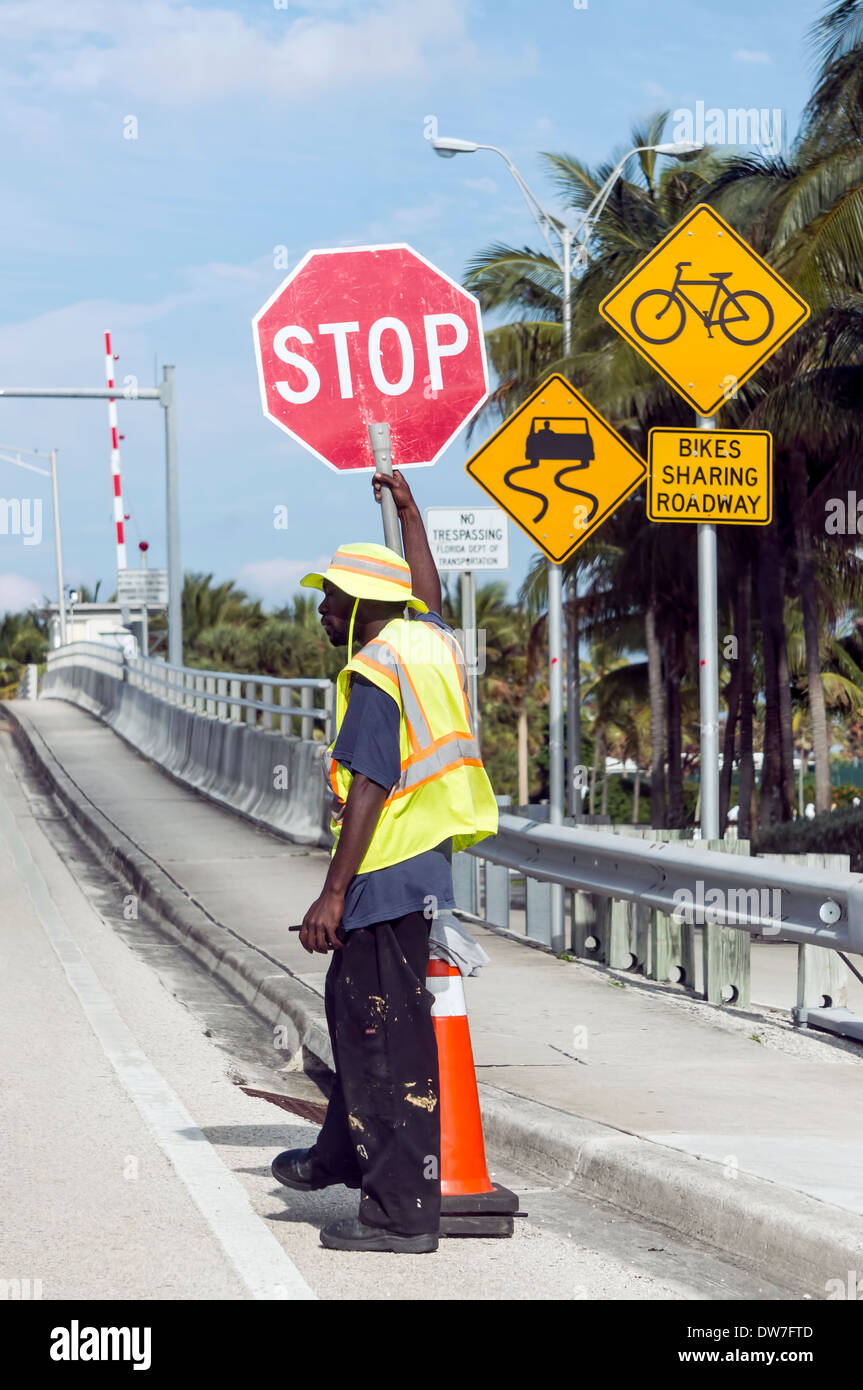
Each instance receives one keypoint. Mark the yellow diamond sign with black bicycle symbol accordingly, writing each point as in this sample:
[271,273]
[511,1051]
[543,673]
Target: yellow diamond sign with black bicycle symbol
[705,311]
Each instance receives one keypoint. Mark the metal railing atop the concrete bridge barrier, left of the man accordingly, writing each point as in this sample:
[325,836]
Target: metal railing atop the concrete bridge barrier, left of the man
[270,703]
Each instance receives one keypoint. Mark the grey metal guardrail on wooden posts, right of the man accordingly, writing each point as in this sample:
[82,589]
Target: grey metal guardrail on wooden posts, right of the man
[643,901]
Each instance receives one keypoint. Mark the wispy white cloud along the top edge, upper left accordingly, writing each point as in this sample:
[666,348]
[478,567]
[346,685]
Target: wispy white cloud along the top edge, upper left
[165,51]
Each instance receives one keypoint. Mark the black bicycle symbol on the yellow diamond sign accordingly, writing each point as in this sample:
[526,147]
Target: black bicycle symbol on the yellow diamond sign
[743,306]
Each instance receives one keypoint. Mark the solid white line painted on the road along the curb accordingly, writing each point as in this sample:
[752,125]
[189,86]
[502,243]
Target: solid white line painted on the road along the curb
[252,1249]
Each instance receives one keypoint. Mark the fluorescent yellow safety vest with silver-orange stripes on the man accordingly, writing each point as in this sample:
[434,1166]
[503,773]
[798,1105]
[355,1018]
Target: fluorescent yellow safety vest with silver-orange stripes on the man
[444,789]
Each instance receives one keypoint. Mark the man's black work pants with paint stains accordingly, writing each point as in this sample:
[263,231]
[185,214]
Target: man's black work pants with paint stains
[383,1128]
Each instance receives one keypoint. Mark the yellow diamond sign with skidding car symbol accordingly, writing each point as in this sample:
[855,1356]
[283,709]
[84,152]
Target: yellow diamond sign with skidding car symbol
[558,469]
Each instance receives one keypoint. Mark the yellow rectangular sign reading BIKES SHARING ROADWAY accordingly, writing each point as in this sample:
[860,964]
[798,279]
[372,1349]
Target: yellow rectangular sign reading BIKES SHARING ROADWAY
[711,476]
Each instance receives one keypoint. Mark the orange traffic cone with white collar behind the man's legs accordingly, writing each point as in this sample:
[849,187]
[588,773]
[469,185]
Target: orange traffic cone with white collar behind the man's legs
[470,1203]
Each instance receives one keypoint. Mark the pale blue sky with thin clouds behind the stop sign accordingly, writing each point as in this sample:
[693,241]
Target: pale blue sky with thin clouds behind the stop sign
[301,126]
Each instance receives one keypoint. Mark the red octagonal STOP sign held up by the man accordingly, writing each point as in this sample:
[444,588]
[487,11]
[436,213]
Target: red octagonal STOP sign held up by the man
[370,334]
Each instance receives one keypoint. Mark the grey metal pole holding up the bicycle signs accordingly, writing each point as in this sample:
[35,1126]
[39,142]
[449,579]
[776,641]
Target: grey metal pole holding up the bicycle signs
[708,644]
